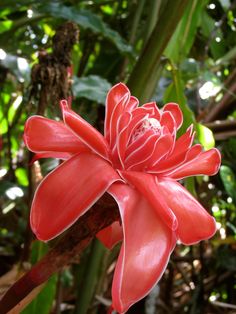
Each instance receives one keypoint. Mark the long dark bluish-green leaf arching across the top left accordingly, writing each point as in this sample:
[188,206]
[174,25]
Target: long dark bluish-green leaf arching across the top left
[87,20]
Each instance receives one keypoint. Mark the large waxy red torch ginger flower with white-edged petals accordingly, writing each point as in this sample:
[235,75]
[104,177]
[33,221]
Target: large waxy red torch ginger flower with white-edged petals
[138,161]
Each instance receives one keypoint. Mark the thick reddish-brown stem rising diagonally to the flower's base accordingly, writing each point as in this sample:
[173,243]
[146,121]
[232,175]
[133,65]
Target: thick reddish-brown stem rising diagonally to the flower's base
[102,214]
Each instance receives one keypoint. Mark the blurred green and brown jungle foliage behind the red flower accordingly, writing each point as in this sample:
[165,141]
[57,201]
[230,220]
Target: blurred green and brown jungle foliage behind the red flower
[180,51]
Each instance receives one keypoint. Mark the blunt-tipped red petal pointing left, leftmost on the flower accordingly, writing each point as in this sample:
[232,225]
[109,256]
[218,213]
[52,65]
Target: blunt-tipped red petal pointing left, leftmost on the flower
[42,135]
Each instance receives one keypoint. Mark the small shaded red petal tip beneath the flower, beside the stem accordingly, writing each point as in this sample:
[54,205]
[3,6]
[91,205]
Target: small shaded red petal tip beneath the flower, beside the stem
[111,235]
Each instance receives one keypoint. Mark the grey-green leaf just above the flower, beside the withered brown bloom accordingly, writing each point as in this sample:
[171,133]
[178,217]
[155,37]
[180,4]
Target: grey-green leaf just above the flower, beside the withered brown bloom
[92,87]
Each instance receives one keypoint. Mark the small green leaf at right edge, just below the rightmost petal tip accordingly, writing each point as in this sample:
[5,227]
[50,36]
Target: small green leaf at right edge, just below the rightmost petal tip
[229,181]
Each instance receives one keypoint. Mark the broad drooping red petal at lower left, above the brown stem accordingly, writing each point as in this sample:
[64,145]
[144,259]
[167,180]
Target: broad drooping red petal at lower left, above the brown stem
[68,192]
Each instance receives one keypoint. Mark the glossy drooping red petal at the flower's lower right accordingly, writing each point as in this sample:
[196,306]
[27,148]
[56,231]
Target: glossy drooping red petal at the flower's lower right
[194,223]
